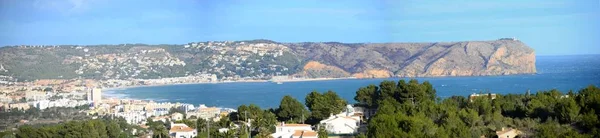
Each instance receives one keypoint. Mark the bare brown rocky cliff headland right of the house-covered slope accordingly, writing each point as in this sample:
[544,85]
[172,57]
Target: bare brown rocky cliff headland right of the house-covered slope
[470,58]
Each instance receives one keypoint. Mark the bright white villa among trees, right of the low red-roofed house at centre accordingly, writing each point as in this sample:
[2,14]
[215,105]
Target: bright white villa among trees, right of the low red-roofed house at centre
[346,122]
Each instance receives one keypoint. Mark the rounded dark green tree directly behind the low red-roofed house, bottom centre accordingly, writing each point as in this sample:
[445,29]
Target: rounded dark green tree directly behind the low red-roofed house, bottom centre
[292,110]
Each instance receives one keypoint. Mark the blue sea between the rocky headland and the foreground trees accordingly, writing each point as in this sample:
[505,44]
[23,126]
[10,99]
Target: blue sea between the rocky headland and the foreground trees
[554,72]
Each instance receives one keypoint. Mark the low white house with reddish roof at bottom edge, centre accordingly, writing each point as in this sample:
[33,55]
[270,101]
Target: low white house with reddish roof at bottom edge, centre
[283,130]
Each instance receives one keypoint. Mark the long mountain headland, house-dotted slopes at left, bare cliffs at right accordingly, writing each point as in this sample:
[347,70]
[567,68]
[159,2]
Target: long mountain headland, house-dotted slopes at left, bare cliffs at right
[261,59]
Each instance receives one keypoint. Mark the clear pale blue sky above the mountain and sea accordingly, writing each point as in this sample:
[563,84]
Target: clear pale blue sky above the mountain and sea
[551,27]
